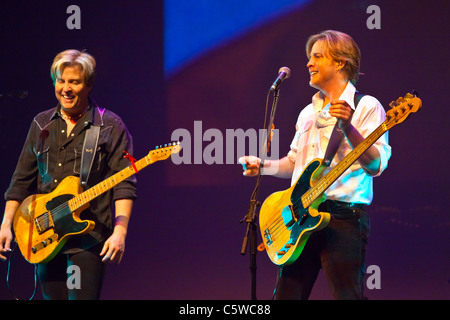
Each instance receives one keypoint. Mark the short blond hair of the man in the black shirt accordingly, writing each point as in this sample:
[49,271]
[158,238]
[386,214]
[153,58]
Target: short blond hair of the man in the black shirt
[73,57]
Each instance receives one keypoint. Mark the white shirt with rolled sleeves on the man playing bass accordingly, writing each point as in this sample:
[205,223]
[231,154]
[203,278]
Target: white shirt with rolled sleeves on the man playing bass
[313,129]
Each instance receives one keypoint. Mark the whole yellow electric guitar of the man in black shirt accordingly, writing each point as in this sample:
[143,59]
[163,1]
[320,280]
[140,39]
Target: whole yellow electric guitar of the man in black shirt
[44,222]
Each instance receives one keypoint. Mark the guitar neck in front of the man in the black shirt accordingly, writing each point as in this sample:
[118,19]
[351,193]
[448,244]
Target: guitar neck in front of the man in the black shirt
[107,184]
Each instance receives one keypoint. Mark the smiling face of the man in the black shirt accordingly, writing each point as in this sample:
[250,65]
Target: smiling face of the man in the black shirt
[71,90]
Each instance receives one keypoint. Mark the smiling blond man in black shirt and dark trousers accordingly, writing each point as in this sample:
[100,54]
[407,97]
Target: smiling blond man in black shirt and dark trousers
[53,150]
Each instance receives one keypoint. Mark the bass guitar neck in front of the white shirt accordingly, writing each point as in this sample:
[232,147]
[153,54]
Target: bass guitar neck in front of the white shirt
[322,185]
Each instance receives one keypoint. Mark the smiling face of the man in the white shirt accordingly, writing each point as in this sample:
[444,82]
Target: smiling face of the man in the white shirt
[323,70]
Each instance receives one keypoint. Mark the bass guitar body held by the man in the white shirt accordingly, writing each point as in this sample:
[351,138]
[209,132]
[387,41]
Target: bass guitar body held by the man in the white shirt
[285,224]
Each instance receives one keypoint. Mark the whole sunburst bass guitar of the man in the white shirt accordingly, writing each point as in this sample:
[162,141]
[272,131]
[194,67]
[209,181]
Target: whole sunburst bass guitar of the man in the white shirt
[287,218]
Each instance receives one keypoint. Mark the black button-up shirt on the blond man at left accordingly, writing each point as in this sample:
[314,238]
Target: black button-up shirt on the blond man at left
[49,155]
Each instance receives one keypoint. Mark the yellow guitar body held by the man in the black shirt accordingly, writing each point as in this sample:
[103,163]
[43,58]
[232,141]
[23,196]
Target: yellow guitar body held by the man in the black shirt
[44,222]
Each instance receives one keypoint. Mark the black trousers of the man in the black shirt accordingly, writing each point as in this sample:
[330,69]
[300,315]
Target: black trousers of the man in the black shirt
[77,276]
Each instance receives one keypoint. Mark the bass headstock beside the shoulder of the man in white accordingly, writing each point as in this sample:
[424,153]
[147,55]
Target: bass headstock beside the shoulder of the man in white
[402,107]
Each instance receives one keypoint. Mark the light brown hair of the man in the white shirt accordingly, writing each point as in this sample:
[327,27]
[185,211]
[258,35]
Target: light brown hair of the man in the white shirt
[341,47]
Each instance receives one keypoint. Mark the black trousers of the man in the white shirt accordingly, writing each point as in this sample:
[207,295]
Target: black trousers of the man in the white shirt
[339,250]
